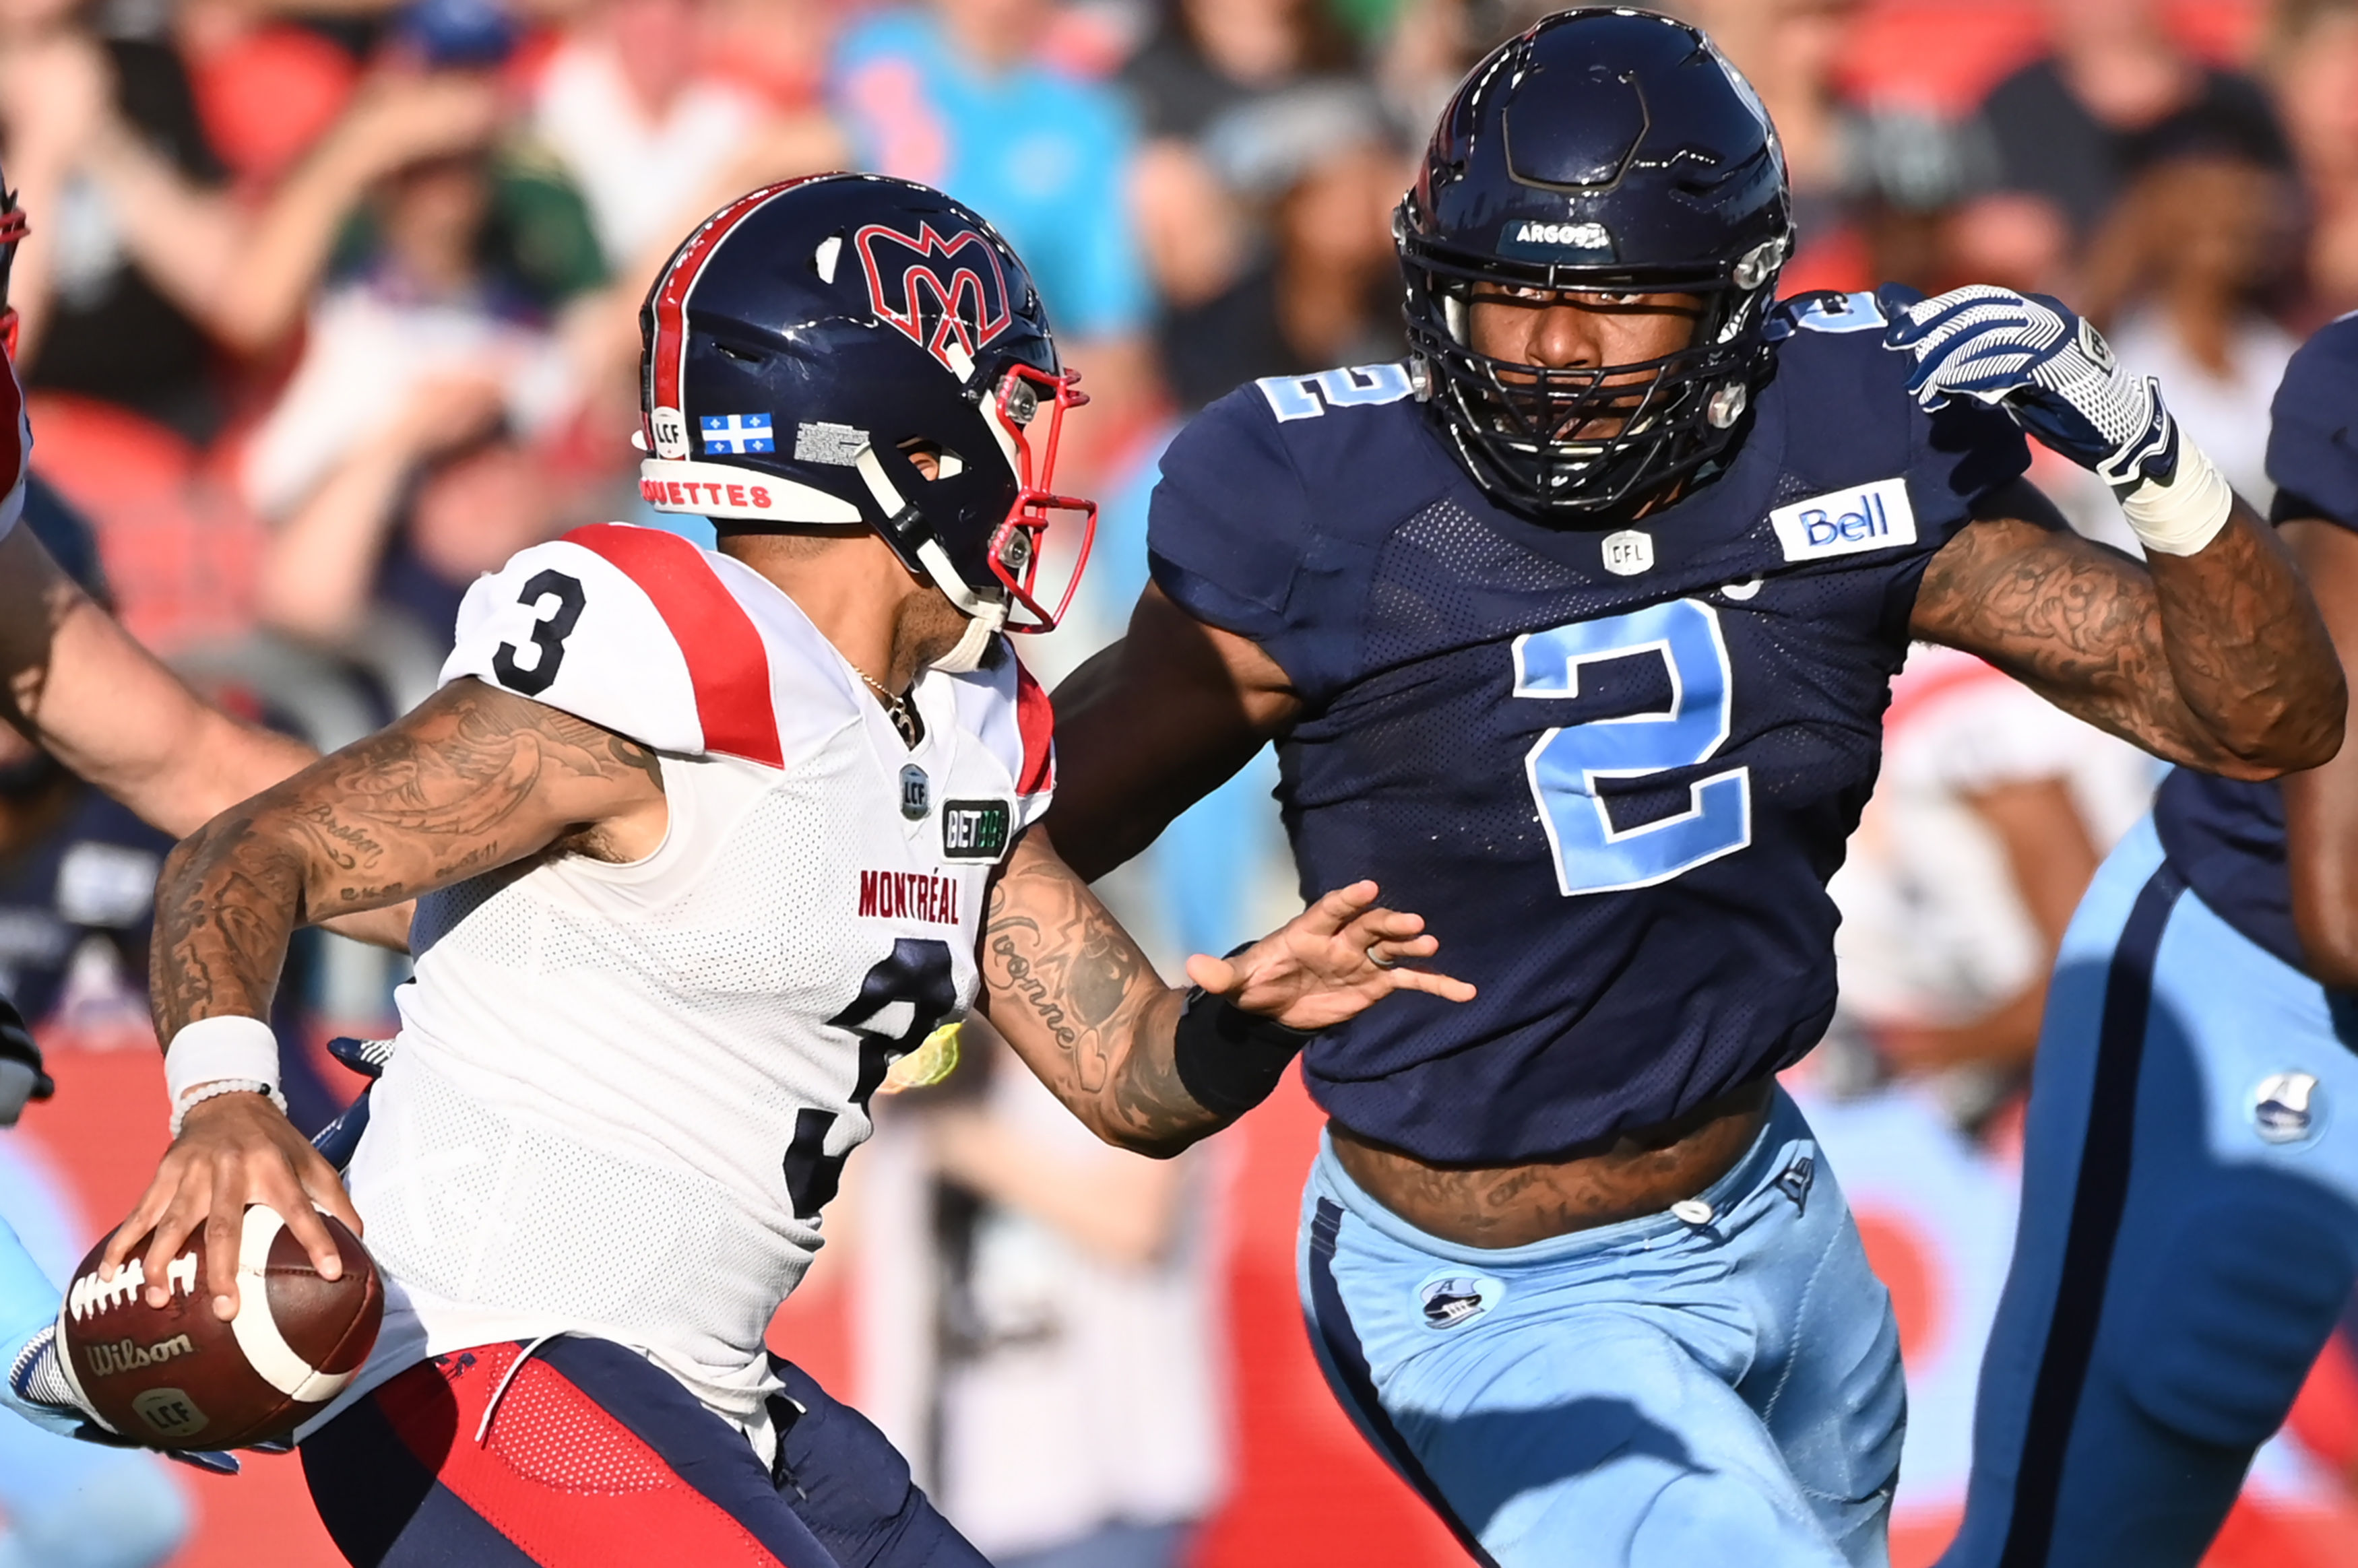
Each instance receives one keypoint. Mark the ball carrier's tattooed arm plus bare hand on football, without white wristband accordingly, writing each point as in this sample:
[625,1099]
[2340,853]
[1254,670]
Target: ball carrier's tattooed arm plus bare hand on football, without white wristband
[468,782]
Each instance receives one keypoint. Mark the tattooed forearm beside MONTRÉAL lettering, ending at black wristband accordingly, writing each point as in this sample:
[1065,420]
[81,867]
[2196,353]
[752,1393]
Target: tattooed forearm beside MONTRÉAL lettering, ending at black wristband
[1084,1006]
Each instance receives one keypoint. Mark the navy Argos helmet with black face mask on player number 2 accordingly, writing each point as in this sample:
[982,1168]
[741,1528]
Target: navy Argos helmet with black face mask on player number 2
[1605,152]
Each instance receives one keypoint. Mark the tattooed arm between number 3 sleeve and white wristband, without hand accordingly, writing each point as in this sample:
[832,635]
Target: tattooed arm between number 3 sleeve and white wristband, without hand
[468,782]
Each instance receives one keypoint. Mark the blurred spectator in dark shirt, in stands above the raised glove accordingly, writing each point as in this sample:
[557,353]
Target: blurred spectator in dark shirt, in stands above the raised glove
[2114,95]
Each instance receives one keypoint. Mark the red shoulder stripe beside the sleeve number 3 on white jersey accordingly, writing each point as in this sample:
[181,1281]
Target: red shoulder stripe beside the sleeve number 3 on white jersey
[725,652]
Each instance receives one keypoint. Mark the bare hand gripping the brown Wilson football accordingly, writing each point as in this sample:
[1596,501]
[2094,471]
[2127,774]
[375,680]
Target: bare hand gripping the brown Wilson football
[232,1152]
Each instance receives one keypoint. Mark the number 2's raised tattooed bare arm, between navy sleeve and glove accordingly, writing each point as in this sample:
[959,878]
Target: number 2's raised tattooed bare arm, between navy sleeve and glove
[2218,659]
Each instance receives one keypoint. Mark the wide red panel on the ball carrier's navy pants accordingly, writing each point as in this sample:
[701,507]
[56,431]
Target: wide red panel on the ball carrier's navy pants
[560,1477]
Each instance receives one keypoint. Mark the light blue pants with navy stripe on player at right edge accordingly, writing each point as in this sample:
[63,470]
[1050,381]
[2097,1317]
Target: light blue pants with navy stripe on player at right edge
[2189,1234]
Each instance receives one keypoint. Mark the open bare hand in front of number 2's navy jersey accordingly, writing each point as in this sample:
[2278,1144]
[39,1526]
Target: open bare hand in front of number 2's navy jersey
[1329,963]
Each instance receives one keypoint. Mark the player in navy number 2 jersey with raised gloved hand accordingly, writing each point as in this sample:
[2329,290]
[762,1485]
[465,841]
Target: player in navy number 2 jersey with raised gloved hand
[1576,635]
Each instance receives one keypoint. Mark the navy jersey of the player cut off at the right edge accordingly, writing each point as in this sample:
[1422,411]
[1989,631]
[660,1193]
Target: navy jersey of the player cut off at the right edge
[2227,836]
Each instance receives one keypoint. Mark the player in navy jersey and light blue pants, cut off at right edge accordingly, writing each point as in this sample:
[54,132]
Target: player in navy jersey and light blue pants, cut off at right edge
[2192,1173]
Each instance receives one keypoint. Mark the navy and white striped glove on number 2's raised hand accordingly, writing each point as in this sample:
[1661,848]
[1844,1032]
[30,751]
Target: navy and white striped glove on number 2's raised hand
[2057,376]
